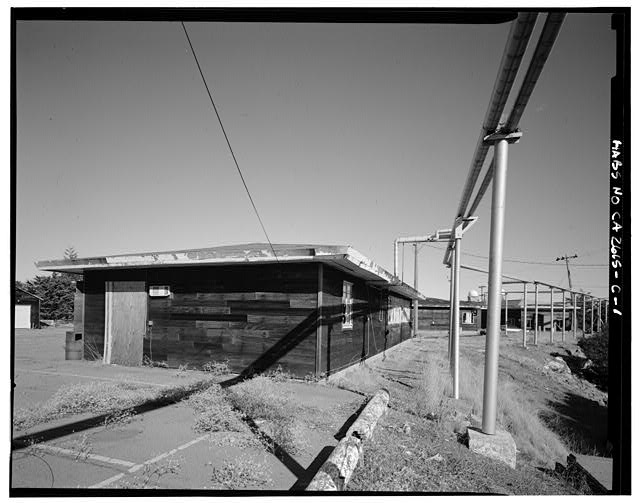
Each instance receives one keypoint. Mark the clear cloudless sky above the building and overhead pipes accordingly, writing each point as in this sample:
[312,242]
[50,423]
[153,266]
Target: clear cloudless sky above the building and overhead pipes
[346,134]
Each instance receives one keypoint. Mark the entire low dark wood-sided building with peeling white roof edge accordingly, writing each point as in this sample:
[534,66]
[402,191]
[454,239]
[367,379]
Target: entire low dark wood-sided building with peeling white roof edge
[311,309]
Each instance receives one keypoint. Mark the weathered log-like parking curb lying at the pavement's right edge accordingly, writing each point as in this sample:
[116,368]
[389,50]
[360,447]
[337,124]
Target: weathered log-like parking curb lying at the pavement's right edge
[335,473]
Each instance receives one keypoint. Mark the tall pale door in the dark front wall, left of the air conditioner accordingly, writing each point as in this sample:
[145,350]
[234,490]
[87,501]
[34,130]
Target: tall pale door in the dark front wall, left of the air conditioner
[125,322]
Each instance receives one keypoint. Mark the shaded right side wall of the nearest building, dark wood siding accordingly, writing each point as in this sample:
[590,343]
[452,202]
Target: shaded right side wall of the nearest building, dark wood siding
[370,334]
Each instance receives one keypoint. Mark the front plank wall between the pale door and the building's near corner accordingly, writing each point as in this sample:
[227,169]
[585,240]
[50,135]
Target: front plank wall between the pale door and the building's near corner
[255,316]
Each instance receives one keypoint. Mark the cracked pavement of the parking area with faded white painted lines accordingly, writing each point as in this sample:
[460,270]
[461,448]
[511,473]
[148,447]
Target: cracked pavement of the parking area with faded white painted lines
[158,448]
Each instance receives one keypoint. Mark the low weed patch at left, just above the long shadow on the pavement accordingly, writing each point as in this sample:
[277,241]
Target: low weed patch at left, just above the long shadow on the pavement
[99,397]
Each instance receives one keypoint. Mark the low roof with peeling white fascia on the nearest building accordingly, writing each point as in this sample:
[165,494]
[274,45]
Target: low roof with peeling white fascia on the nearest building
[342,257]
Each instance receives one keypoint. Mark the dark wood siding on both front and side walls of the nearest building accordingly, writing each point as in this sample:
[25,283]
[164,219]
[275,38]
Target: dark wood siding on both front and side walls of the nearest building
[256,317]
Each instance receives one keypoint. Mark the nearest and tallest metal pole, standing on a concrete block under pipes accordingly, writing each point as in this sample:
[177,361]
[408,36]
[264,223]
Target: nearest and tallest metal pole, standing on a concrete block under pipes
[492,345]
